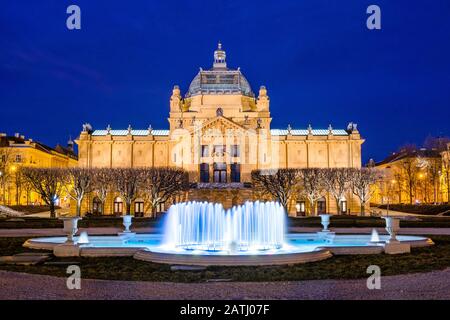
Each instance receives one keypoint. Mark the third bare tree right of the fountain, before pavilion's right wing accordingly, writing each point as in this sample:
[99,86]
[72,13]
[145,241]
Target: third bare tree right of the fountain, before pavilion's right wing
[337,183]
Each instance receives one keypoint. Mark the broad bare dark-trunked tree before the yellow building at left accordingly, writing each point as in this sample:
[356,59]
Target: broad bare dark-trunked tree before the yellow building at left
[47,182]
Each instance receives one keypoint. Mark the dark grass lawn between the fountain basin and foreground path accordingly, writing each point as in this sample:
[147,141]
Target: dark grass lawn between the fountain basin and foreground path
[338,267]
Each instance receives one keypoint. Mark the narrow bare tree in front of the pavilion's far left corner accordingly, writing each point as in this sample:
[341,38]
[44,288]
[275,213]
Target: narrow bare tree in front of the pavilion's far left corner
[77,182]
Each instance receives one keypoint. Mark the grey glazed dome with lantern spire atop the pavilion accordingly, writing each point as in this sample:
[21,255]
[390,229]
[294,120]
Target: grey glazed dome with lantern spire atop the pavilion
[220,79]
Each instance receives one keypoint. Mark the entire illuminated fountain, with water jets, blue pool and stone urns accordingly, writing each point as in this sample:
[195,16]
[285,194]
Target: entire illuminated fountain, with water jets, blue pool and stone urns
[203,233]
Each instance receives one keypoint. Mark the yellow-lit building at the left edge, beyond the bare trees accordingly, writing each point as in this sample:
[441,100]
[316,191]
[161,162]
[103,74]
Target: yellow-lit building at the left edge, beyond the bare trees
[15,152]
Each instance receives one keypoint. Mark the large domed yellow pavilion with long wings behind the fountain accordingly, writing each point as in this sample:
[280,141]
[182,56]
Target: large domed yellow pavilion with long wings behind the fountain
[219,131]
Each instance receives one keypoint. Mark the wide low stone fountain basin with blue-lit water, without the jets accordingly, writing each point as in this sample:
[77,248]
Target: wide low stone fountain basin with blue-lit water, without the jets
[300,248]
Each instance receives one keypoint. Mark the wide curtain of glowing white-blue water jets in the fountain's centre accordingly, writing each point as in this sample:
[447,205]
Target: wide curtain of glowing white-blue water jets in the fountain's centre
[207,226]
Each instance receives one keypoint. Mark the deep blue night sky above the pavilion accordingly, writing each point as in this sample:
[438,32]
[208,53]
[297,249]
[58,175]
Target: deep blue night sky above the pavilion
[318,60]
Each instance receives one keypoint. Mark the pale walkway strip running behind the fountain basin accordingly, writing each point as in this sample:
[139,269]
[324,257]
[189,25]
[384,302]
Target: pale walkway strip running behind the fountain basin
[109,231]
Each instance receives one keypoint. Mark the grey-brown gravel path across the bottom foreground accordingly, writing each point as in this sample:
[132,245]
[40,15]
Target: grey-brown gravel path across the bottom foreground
[432,285]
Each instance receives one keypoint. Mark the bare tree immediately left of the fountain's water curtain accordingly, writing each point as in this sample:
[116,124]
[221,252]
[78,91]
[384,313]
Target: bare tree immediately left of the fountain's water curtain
[162,183]
